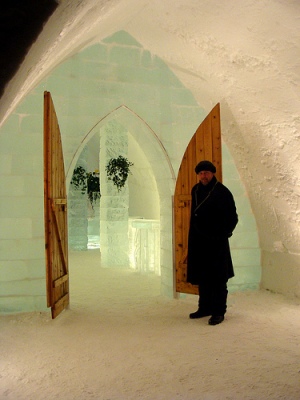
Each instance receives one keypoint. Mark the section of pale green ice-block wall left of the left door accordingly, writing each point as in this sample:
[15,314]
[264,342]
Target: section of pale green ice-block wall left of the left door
[22,254]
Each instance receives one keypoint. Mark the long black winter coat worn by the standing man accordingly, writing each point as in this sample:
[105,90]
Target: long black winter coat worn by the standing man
[213,219]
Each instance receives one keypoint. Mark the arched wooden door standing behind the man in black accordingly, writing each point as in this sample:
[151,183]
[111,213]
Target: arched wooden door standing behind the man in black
[204,145]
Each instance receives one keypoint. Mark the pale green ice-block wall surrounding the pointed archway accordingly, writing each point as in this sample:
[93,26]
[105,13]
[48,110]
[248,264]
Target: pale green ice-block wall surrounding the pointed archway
[116,80]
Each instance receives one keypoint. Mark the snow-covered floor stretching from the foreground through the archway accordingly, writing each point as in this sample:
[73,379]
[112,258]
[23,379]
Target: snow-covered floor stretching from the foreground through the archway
[122,340]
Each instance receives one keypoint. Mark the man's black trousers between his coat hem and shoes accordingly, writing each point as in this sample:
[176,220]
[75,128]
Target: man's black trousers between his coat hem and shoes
[213,296]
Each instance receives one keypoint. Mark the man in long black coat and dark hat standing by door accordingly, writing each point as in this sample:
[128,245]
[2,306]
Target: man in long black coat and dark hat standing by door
[209,263]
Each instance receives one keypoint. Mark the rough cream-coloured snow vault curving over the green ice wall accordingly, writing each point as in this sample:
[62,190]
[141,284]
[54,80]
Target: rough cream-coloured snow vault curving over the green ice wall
[244,55]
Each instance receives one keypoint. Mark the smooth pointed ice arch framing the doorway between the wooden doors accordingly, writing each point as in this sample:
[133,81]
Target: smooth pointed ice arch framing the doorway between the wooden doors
[162,171]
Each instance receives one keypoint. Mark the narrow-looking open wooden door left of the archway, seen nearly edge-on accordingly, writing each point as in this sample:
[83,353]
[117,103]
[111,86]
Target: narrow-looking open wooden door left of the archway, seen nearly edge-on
[55,205]
